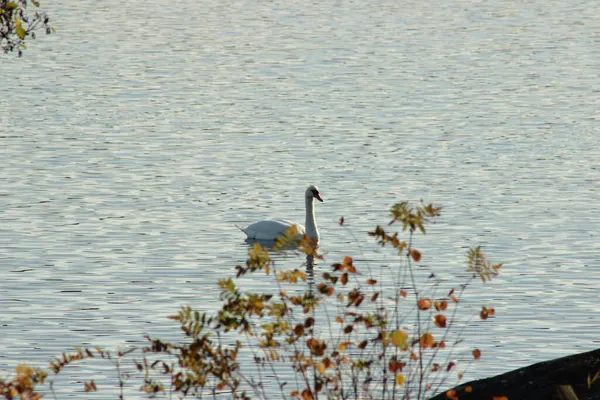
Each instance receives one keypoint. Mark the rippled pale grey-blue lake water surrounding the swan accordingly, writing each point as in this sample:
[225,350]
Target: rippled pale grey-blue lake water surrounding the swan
[136,137]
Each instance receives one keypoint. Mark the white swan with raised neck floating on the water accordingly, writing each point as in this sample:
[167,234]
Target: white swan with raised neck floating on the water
[271,230]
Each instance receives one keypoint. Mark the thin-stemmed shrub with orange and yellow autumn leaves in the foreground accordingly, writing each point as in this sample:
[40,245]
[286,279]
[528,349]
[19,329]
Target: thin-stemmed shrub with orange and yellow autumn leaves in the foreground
[342,333]
